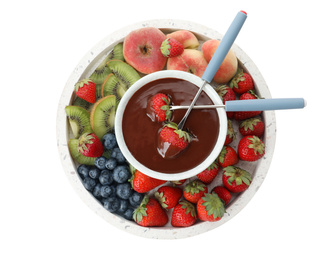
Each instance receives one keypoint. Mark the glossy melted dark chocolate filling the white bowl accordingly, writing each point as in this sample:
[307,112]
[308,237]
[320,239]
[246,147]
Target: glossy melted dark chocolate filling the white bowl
[141,133]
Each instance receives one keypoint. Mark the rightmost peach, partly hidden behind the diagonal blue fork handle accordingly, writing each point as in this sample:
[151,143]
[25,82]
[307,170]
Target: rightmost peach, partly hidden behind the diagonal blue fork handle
[228,67]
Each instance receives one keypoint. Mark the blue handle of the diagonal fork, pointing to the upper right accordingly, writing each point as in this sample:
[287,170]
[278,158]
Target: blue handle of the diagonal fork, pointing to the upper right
[224,46]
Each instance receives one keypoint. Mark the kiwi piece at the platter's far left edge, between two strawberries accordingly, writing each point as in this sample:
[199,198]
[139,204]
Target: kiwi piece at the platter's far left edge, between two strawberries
[79,120]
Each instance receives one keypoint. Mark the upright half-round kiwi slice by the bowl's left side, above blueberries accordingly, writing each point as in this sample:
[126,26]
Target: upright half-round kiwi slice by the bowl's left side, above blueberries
[103,115]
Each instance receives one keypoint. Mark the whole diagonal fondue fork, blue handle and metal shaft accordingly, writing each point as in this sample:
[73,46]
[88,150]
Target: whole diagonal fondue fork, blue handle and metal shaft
[218,57]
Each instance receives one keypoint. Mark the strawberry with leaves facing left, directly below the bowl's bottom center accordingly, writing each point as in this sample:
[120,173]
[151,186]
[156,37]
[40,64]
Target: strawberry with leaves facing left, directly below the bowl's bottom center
[168,196]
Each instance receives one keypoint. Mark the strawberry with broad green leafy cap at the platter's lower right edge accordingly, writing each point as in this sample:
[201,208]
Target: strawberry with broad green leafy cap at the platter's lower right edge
[236,179]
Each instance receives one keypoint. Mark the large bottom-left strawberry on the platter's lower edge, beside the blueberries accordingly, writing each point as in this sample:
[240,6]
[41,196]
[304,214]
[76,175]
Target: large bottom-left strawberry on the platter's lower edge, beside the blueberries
[150,213]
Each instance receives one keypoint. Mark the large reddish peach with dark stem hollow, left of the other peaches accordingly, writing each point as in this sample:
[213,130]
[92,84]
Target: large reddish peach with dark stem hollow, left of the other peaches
[141,49]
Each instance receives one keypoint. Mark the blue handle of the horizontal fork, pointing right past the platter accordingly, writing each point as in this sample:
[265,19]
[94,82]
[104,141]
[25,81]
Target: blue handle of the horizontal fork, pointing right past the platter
[264,104]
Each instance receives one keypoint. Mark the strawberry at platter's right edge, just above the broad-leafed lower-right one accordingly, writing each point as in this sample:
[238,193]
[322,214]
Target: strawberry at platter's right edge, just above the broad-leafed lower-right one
[251,148]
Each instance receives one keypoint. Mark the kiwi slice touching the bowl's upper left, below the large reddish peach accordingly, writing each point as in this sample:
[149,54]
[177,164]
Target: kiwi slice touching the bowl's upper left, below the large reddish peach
[125,73]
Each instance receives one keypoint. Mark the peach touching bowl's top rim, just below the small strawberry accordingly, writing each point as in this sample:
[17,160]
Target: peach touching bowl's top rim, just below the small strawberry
[190,60]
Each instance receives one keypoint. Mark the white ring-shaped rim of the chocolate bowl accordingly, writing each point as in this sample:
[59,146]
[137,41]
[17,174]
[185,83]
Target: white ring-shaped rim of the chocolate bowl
[179,75]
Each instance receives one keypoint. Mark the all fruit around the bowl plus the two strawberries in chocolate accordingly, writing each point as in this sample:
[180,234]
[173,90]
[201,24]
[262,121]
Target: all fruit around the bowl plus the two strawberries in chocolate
[103,169]
